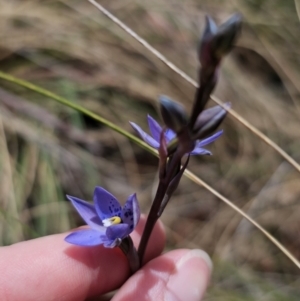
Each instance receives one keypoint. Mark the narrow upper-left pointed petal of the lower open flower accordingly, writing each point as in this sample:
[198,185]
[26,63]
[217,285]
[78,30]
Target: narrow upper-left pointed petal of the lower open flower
[87,212]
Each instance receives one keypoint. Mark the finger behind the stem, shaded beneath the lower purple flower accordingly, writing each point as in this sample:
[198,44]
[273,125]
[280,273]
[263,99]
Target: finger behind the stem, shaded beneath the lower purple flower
[48,268]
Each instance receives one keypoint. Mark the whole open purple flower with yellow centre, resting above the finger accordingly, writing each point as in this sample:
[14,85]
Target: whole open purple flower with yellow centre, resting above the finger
[109,222]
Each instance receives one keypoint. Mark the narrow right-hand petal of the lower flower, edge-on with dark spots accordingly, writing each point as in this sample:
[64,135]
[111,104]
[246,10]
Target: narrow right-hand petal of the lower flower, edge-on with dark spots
[131,212]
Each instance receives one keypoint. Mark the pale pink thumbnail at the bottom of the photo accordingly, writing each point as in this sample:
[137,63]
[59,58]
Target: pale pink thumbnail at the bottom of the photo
[191,277]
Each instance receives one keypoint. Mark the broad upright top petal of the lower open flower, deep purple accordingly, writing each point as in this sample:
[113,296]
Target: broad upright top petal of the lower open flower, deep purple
[106,204]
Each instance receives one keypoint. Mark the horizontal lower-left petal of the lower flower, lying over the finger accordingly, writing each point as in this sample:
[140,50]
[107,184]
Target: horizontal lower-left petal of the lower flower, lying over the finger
[88,237]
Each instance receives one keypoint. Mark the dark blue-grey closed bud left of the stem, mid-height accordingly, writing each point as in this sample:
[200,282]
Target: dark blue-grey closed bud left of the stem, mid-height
[173,114]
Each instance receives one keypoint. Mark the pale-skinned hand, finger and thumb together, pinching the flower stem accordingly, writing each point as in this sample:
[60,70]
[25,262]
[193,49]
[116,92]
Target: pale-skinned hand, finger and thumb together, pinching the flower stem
[48,268]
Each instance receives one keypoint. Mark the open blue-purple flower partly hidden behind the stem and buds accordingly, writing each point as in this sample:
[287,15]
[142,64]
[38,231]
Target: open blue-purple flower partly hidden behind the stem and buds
[156,129]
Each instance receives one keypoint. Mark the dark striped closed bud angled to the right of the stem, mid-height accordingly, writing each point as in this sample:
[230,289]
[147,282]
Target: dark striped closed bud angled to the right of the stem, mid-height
[209,120]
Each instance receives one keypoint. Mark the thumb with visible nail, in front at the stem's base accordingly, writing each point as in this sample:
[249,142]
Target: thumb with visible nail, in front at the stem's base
[178,275]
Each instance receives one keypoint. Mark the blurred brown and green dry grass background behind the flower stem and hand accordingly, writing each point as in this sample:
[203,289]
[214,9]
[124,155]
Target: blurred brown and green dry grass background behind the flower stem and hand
[48,150]
